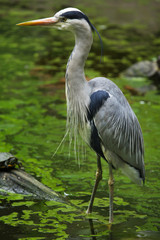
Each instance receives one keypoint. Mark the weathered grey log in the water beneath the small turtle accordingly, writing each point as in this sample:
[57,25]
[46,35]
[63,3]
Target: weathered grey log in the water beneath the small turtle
[18,181]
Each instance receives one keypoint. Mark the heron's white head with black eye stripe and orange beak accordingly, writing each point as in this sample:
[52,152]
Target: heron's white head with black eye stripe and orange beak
[68,18]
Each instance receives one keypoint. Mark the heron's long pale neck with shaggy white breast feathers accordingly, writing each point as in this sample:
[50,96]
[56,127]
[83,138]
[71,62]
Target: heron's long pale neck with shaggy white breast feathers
[77,89]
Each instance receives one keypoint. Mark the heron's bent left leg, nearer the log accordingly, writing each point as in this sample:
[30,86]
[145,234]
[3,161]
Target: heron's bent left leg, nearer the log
[98,179]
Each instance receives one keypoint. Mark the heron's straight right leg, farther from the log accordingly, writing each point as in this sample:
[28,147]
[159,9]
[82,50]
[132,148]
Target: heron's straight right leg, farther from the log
[111,189]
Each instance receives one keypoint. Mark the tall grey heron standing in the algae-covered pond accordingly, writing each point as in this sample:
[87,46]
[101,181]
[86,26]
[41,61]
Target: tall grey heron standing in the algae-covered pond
[97,109]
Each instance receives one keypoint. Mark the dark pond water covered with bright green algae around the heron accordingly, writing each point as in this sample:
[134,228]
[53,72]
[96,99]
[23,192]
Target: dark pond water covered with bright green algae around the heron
[33,118]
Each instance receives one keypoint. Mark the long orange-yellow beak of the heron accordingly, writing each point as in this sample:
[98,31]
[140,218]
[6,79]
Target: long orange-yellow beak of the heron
[40,22]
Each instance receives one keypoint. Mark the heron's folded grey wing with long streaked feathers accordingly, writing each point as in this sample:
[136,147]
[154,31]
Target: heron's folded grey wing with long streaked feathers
[119,128]
